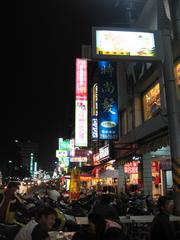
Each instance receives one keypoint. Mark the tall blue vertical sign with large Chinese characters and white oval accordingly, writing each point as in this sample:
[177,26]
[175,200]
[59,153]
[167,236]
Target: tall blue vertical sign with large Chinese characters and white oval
[107,101]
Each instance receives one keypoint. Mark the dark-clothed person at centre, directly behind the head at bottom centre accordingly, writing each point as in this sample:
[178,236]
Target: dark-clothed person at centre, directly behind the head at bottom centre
[104,209]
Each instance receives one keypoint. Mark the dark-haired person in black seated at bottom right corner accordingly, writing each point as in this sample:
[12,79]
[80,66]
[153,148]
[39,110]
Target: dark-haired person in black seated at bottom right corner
[162,228]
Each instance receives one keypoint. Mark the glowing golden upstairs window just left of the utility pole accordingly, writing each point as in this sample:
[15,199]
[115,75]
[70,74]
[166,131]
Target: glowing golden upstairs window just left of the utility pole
[151,102]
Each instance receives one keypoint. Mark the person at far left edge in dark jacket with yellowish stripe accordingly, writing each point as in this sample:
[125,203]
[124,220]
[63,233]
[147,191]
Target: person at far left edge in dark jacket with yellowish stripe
[9,203]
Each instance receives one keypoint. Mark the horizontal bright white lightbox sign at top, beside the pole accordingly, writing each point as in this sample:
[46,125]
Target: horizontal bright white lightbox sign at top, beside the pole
[117,43]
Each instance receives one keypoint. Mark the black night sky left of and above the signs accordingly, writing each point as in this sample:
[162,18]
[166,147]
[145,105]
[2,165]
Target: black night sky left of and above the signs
[40,40]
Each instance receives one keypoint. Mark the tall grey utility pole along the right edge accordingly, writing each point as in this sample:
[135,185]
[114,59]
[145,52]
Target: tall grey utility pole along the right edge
[171,99]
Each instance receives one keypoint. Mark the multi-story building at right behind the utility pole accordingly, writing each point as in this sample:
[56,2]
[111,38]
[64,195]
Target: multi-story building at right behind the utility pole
[143,107]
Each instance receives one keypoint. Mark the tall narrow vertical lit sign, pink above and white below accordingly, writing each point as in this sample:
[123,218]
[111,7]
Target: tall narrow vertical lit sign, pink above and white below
[81,104]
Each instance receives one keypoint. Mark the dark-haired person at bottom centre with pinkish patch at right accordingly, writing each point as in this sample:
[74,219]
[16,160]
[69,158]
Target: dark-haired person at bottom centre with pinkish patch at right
[99,225]
